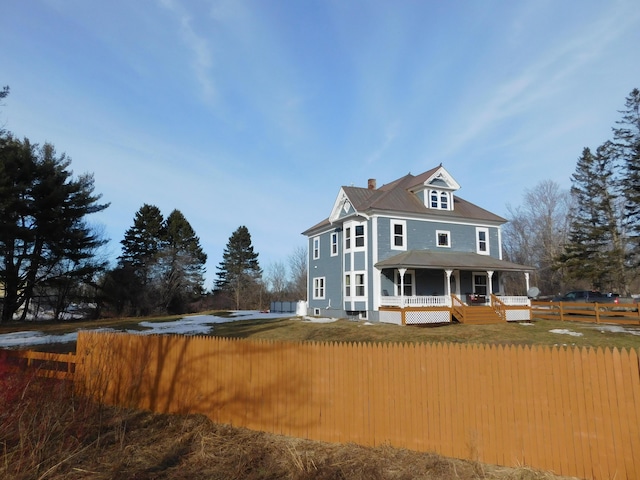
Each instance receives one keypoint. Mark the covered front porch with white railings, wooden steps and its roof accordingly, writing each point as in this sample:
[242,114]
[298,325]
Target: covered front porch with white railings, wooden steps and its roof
[464,287]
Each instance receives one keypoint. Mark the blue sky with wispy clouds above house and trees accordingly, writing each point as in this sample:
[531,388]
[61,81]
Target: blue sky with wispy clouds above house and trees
[256,112]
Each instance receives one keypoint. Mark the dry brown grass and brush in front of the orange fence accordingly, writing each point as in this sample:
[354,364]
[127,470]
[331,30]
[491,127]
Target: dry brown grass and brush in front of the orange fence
[47,432]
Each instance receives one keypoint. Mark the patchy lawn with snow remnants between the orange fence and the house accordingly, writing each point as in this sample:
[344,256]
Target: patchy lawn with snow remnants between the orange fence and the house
[537,332]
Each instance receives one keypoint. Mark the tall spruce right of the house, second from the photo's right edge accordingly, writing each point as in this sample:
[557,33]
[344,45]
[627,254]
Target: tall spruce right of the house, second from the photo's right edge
[594,234]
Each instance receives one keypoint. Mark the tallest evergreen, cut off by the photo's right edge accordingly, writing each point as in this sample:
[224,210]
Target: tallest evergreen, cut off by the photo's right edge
[627,144]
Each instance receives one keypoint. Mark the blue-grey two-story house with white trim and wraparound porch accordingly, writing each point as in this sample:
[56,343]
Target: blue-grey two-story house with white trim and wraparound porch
[411,251]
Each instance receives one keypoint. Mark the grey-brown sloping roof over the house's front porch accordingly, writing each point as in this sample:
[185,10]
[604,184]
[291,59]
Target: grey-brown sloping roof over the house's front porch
[450,260]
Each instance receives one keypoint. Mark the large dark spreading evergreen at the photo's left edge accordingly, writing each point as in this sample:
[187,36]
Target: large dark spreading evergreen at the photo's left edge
[44,238]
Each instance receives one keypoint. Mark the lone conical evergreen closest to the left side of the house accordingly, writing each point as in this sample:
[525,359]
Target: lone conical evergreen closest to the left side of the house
[239,272]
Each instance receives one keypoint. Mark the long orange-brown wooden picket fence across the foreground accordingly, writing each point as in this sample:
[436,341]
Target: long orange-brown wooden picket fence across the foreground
[567,410]
